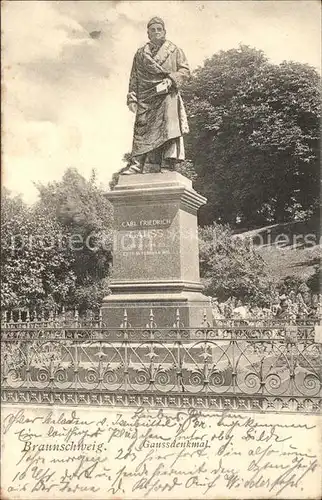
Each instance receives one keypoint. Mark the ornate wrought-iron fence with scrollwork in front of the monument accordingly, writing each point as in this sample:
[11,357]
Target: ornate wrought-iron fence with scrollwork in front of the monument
[232,365]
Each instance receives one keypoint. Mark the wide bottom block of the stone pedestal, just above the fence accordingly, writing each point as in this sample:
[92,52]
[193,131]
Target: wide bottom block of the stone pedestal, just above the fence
[193,307]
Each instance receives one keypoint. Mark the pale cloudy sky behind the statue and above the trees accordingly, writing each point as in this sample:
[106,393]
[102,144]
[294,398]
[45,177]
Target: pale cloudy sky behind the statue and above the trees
[66,64]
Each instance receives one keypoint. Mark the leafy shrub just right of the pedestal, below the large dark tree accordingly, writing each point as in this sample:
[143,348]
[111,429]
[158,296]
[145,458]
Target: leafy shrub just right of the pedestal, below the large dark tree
[230,267]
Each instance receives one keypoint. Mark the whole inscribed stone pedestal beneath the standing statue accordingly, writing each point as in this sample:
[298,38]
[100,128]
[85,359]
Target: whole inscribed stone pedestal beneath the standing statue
[155,254]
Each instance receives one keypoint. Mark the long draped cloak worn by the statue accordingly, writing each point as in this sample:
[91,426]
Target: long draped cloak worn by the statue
[159,118]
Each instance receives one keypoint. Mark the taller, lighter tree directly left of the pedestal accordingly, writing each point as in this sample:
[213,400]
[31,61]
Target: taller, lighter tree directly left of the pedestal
[85,215]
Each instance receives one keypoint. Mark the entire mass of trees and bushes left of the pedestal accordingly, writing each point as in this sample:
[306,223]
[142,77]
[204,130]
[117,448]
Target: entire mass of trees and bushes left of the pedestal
[58,251]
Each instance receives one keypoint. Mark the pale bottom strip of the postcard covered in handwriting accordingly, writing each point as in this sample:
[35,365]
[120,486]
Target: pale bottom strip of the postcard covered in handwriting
[154,453]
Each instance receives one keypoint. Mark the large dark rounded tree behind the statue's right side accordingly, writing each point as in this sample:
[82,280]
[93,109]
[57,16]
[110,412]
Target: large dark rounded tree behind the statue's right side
[254,137]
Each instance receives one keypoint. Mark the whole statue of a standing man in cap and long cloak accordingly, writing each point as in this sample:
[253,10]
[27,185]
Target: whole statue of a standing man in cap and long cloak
[159,69]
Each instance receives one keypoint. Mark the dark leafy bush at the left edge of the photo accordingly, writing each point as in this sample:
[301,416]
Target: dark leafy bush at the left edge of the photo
[33,270]
